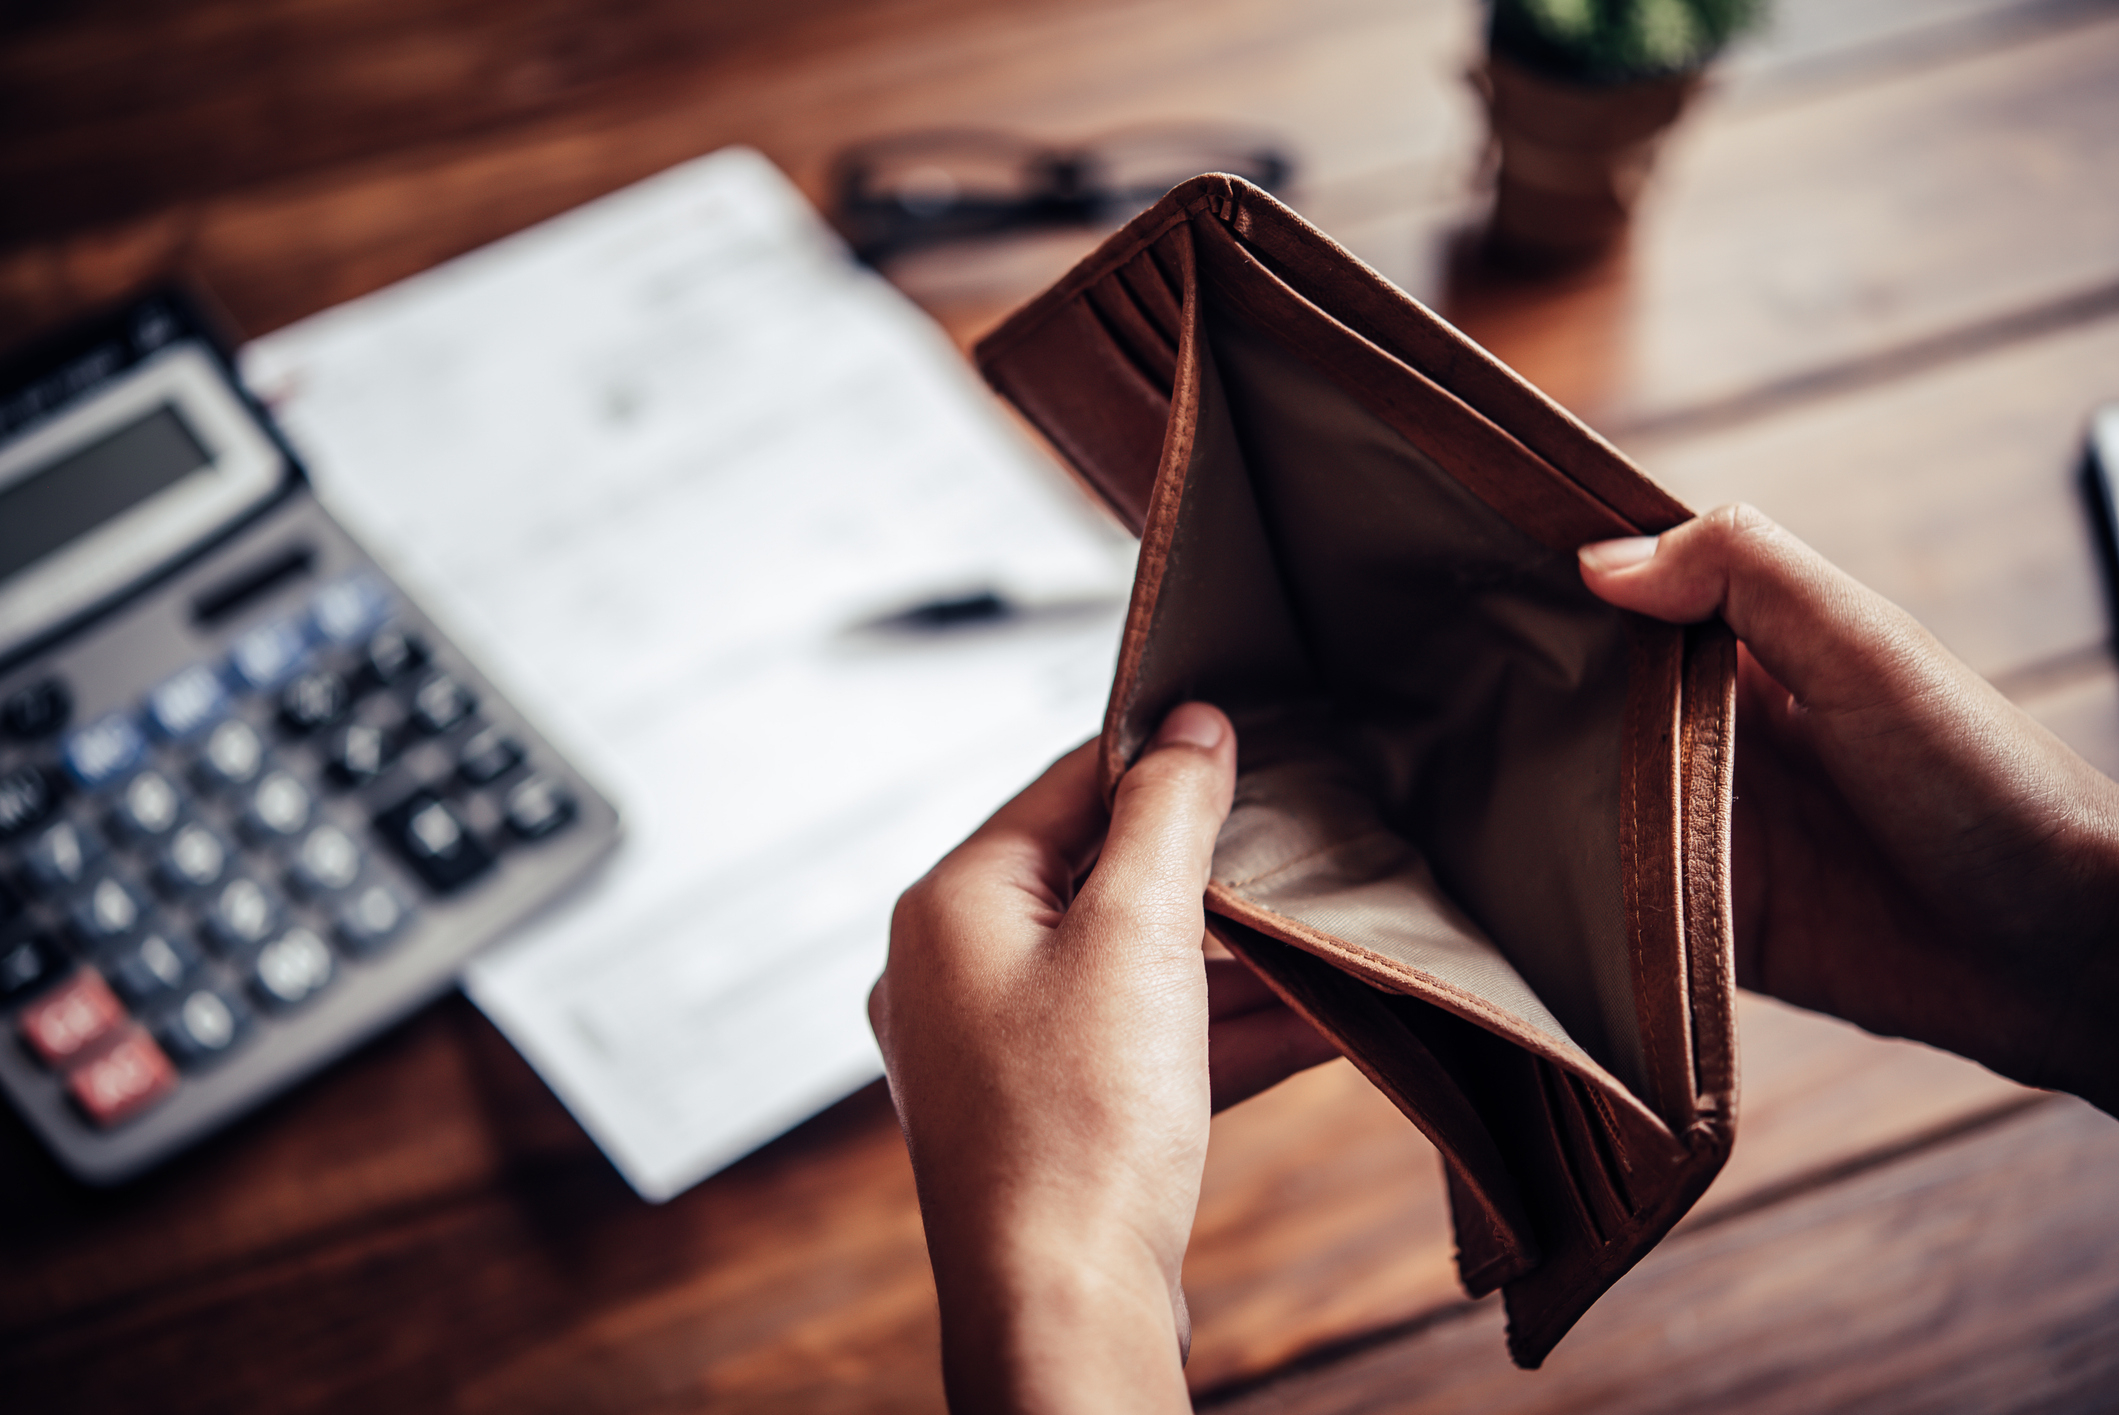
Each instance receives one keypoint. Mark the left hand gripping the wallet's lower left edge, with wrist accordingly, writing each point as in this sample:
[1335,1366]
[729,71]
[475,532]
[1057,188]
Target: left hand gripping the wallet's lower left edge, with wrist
[1054,1056]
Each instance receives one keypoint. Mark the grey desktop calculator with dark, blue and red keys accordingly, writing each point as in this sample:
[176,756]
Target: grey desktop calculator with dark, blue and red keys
[255,804]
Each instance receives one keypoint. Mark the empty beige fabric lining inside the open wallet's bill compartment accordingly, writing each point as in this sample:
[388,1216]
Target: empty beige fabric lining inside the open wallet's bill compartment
[1400,656]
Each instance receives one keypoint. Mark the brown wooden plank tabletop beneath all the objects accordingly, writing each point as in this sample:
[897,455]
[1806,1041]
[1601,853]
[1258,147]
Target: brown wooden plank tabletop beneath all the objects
[1876,291]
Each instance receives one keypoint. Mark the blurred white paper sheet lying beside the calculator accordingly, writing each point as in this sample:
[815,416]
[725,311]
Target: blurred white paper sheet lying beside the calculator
[654,463]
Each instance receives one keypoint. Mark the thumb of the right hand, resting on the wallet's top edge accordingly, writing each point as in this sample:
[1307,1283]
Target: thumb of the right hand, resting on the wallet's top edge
[1826,637]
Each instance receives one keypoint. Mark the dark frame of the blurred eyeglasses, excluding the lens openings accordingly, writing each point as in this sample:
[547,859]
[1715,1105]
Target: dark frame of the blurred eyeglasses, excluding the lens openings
[1061,185]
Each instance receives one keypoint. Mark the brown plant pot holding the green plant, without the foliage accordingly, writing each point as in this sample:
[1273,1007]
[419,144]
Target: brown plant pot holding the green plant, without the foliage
[1573,158]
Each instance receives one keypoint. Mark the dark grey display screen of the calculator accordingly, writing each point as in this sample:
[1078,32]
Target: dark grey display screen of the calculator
[86,488]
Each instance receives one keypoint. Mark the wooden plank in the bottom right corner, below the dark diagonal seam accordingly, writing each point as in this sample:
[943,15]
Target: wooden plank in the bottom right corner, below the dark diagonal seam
[1961,1278]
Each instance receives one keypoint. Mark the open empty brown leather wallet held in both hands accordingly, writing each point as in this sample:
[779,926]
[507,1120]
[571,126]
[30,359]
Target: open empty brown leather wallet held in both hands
[1482,819]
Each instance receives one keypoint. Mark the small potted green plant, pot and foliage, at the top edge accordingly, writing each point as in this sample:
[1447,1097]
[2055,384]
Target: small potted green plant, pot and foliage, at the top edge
[1580,94]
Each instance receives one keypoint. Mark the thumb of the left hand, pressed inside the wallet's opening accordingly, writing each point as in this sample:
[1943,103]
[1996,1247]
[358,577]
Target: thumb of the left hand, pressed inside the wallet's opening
[1164,821]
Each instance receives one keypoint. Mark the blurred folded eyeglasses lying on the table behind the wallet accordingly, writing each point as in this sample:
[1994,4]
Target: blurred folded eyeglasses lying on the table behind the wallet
[921,190]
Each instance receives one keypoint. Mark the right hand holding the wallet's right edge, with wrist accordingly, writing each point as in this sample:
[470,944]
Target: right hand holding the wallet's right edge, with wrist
[1912,850]
